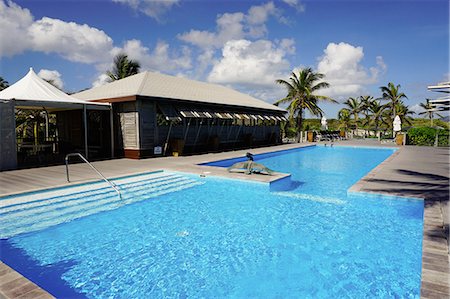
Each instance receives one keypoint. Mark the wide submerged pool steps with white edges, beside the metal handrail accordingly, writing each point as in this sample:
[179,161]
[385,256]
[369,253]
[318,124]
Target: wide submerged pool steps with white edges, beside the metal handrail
[38,214]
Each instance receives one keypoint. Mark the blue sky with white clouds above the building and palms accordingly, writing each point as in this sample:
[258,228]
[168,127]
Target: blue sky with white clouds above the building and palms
[246,45]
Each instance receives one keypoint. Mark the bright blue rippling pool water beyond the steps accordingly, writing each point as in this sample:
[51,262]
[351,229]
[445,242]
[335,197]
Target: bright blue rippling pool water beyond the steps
[231,239]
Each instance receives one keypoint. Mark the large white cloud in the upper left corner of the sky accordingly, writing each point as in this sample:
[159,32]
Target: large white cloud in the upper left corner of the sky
[75,42]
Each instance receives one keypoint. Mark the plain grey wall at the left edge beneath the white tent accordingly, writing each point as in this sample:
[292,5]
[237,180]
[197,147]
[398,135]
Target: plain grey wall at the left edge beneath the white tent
[8,150]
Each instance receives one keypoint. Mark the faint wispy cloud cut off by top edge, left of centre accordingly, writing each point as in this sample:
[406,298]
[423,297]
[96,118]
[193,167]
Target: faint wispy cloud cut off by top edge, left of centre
[152,8]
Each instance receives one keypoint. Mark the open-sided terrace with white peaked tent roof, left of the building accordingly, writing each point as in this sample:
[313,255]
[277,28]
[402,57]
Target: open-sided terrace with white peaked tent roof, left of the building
[40,124]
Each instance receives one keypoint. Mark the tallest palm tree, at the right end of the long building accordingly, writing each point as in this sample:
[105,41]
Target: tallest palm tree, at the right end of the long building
[302,95]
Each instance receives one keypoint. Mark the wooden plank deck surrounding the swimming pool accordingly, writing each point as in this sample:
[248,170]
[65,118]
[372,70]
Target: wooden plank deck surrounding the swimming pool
[421,172]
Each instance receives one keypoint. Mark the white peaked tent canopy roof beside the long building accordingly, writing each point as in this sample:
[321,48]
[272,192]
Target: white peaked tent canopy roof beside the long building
[33,91]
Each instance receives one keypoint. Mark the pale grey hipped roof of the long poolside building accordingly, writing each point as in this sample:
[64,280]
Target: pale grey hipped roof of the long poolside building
[158,85]
